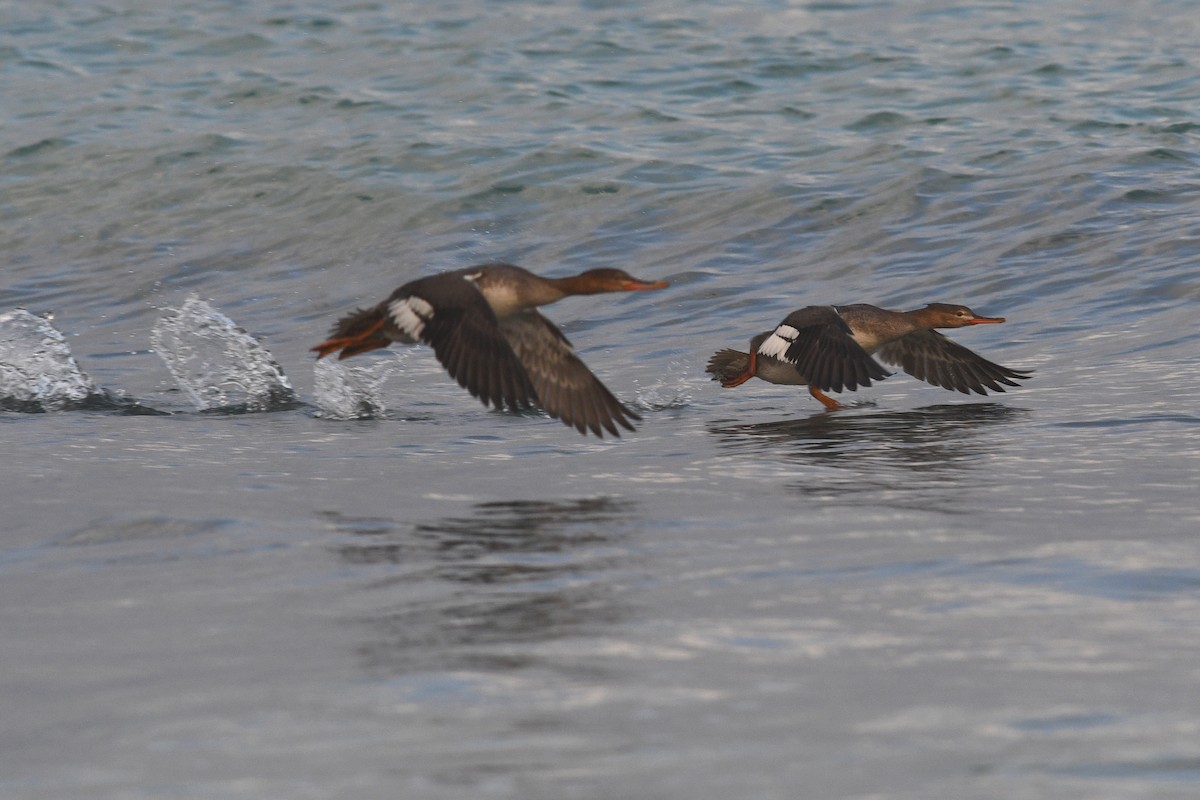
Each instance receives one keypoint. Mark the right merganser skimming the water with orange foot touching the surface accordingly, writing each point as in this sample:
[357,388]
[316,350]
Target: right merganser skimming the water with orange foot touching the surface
[830,348]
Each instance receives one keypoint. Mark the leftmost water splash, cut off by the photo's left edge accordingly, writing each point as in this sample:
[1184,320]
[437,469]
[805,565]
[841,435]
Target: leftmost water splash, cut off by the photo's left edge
[38,372]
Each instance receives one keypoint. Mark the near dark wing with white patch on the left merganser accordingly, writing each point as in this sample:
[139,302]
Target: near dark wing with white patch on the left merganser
[449,314]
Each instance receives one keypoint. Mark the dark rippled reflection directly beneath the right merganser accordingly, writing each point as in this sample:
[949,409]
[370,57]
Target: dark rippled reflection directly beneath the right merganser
[914,456]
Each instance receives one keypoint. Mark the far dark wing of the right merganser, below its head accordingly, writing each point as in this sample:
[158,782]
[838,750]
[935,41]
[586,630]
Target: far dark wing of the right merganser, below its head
[938,360]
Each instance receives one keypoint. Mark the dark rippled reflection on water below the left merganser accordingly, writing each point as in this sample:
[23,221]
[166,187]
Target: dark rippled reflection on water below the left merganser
[470,587]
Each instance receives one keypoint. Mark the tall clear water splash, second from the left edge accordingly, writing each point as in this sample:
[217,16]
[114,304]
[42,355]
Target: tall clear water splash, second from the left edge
[218,364]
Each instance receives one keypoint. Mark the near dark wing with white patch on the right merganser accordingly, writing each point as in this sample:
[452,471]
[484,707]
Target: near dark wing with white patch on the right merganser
[819,342]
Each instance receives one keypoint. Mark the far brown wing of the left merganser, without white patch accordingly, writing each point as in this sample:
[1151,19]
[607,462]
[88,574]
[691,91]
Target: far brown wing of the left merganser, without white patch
[567,389]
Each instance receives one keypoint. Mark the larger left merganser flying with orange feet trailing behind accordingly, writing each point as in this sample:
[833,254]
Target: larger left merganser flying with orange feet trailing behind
[485,329]
